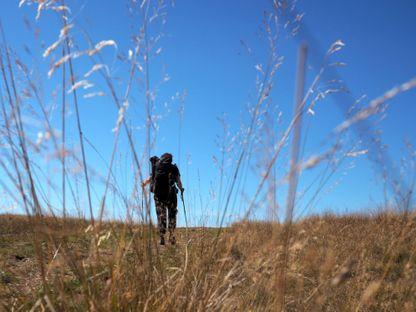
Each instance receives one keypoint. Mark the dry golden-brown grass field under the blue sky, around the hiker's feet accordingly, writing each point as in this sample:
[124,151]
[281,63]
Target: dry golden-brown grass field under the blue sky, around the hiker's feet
[349,263]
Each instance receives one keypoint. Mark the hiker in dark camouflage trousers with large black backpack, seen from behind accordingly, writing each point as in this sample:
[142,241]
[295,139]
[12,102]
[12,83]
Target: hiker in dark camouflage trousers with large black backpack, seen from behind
[163,181]
